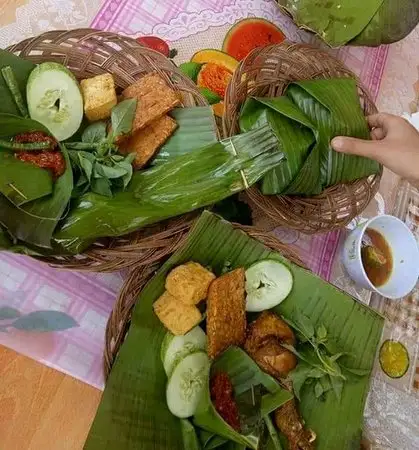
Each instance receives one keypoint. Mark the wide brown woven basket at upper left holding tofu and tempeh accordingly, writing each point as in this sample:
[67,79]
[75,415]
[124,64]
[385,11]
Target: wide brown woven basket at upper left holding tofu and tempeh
[87,53]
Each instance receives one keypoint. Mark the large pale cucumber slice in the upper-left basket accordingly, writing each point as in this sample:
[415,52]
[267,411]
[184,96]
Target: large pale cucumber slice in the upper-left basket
[55,100]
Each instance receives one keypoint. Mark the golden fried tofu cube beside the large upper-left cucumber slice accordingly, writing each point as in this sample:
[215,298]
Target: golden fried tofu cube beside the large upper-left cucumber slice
[99,96]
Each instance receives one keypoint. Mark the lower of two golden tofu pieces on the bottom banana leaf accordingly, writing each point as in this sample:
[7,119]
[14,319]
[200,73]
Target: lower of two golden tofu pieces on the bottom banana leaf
[177,317]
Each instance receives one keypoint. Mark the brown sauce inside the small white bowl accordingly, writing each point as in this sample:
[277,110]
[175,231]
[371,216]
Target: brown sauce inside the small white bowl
[377,271]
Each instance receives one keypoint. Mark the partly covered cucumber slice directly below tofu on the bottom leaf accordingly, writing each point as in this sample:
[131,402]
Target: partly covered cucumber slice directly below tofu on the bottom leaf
[174,348]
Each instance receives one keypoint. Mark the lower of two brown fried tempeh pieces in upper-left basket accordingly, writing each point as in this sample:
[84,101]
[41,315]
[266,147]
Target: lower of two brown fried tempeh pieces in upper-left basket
[146,142]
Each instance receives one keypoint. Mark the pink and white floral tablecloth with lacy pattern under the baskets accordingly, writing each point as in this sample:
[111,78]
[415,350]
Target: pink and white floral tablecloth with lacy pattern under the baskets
[84,301]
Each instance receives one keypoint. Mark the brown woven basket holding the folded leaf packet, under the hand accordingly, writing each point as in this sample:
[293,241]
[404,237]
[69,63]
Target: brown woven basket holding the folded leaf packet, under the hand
[266,72]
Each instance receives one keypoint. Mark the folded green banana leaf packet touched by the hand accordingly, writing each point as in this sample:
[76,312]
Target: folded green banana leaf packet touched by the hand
[305,121]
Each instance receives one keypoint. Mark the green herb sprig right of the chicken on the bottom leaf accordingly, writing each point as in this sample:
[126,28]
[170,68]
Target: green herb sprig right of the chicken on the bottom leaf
[319,363]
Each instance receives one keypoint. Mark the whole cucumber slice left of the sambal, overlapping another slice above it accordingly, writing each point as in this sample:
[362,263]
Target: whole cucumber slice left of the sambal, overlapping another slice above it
[187,383]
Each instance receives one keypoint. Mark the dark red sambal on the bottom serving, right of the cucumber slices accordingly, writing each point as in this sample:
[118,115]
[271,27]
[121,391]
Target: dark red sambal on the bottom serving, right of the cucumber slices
[222,395]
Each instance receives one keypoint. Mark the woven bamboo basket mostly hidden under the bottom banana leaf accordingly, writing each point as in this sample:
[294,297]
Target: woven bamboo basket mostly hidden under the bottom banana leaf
[120,317]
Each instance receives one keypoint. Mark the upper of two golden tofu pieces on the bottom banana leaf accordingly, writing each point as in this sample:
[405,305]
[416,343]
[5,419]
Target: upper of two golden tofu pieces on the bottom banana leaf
[189,282]
